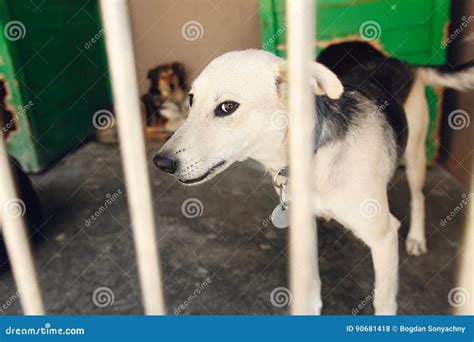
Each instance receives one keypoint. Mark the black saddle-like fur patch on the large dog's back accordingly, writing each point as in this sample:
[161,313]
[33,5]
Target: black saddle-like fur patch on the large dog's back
[384,81]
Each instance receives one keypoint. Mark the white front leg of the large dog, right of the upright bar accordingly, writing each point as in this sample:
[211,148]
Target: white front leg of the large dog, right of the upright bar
[384,249]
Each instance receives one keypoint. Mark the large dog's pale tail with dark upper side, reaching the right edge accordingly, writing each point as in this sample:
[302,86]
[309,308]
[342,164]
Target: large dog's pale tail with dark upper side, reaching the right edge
[460,78]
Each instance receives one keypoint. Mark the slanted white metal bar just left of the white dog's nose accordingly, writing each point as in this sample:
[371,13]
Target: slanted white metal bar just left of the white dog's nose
[121,60]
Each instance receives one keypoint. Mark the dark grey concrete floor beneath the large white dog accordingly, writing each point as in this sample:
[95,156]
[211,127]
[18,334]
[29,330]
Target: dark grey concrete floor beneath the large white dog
[228,243]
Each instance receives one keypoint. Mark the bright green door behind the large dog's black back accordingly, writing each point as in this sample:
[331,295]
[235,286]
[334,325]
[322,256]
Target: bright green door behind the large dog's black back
[412,30]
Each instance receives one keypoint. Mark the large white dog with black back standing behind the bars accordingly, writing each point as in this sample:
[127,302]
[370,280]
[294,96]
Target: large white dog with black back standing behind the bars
[362,134]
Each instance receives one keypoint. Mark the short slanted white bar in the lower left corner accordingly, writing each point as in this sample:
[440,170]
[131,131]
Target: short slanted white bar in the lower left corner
[16,239]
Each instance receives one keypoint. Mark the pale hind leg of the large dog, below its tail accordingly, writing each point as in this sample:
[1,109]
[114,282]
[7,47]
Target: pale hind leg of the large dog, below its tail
[416,109]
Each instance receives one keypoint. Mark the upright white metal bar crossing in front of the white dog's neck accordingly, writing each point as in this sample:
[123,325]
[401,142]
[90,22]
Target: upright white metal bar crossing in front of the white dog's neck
[303,239]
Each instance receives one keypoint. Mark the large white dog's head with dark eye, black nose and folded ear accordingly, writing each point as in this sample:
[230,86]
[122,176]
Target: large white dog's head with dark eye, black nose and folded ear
[236,107]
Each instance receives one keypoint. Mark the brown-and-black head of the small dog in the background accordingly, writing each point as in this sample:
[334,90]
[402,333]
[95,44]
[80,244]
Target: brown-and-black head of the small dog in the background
[167,80]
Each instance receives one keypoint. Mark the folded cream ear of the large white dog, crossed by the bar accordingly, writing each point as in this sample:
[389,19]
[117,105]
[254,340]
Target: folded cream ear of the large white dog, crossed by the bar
[323,80]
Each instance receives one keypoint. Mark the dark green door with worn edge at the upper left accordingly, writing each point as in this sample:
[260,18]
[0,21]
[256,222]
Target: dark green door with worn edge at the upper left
[54,70]
